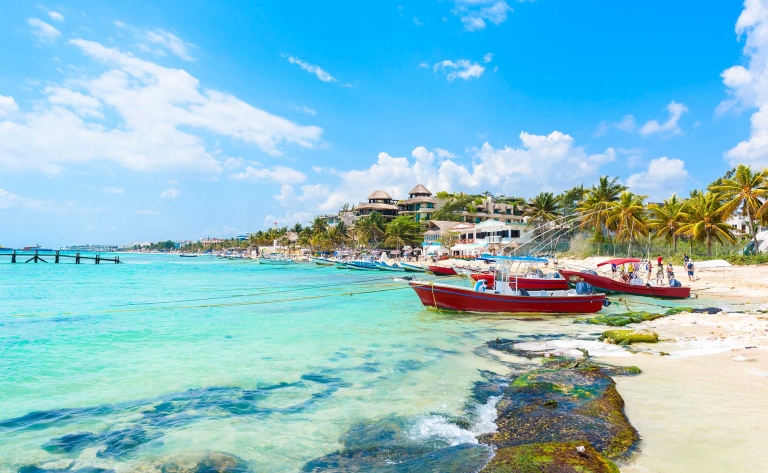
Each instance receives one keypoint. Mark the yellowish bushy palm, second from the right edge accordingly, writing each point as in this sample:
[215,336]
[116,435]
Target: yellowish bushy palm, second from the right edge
[706,213]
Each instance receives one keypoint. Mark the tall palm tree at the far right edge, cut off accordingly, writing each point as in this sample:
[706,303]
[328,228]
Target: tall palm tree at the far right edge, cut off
[746,190]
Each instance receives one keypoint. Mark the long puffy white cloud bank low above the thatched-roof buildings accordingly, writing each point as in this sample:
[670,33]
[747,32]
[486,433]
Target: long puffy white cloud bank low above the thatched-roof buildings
[543,162]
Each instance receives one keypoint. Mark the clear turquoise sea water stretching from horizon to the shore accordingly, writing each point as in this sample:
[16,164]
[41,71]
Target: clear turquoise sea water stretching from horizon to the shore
[129,367]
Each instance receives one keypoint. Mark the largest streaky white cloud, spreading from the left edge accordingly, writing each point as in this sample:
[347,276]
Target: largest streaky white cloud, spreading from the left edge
[158,117]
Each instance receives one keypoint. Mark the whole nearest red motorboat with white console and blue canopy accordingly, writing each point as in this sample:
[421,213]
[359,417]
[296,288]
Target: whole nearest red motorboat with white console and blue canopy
[502,297]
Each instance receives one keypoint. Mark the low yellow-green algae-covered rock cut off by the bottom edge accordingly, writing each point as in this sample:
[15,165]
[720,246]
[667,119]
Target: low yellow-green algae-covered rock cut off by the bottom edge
[553,457]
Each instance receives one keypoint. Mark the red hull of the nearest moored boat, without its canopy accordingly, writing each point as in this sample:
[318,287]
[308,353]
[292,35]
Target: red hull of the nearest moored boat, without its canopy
[462,299]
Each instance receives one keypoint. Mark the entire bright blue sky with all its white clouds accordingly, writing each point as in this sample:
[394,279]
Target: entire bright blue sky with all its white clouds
[155,120]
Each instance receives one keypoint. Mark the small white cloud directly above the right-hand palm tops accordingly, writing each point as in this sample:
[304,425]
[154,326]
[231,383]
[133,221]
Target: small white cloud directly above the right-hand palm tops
[663,177]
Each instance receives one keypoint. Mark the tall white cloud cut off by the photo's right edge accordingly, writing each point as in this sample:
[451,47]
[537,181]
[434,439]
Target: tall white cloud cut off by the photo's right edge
[748,85]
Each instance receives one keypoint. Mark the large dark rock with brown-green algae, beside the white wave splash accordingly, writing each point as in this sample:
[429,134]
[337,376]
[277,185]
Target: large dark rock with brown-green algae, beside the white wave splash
[586,407]
